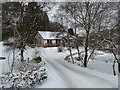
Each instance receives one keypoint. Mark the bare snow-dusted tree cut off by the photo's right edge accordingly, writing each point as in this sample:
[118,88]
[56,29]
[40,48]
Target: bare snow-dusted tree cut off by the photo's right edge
[112,36]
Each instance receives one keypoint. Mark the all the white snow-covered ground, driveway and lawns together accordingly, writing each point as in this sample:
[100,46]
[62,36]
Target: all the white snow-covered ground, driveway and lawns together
[62,74]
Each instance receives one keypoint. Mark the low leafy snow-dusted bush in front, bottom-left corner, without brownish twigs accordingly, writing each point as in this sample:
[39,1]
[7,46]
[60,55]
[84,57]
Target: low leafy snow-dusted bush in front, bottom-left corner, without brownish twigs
[21,79]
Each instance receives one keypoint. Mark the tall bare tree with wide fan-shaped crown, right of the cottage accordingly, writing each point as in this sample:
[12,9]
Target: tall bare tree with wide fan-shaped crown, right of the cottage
[88,15]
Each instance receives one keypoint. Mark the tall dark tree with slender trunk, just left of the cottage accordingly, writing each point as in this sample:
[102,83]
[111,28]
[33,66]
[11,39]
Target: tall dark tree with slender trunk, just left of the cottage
[28,22]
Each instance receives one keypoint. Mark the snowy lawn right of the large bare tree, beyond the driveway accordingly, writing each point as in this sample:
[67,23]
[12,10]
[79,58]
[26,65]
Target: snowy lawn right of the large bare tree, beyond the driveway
[103,63]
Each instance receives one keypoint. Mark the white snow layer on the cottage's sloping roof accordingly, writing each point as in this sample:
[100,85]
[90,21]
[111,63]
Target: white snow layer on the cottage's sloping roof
[48,34]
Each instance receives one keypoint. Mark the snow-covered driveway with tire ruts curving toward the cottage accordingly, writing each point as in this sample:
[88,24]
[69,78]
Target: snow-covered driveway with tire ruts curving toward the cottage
[64,75]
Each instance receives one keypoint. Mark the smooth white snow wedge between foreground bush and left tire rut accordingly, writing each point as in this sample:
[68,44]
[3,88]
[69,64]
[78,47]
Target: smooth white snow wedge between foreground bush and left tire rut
[53,79]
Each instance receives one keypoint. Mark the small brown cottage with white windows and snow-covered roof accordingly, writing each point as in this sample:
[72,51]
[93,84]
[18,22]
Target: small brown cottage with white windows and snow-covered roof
[47,39]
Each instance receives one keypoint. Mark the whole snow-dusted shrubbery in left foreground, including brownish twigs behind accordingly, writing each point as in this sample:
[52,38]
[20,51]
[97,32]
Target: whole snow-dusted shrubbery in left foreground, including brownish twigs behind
[26,75]
